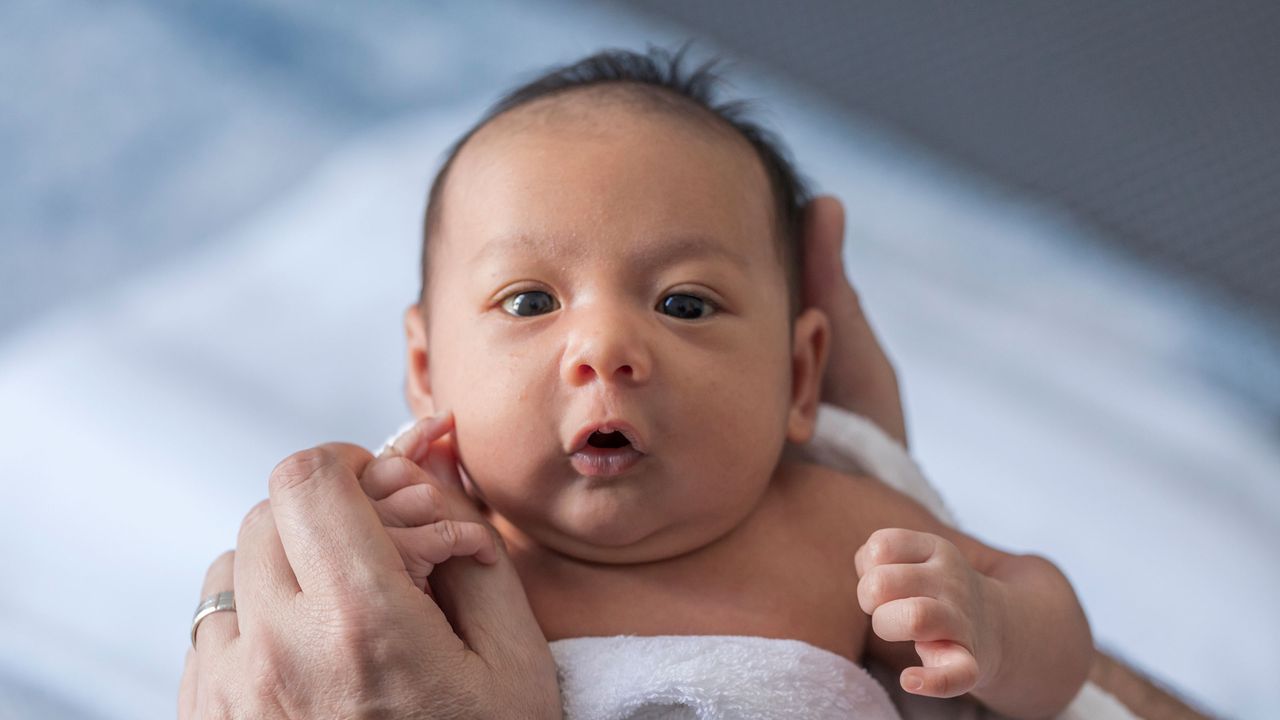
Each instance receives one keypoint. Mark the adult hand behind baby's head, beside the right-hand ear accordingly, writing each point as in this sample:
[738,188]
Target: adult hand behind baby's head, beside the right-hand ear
[860,376]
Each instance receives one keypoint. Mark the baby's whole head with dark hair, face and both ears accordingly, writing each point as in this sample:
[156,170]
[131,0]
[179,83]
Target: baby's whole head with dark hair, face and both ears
[609,249]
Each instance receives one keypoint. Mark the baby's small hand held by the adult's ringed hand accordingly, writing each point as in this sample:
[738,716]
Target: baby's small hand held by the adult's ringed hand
[418,495]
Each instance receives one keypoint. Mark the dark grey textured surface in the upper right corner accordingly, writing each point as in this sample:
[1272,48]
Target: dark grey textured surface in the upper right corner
[1156,122]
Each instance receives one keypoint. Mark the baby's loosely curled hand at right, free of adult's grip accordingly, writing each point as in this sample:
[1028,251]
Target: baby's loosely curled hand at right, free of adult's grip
[920,587]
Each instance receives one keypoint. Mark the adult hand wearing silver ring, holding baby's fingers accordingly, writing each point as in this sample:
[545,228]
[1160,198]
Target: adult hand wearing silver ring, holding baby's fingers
[330,625]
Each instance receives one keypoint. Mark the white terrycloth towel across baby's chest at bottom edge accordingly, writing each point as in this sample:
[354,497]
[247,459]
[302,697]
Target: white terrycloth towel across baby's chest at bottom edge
[712,678]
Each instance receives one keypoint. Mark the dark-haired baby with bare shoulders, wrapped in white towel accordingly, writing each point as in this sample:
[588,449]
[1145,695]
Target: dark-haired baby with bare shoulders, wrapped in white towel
[611,327]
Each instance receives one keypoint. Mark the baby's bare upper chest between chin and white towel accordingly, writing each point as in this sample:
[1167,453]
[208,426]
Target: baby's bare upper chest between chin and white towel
[776,582]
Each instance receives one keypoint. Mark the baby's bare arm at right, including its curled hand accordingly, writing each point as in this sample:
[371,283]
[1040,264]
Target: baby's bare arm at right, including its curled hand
[1007,628]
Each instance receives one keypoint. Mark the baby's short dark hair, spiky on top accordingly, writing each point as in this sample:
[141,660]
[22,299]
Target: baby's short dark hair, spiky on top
[660,80]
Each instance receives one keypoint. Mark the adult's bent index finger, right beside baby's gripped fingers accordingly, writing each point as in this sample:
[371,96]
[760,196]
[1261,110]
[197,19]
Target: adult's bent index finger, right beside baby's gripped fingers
[332,536]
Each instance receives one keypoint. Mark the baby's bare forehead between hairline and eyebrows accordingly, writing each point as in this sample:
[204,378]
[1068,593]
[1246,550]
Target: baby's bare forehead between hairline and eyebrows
[529,162]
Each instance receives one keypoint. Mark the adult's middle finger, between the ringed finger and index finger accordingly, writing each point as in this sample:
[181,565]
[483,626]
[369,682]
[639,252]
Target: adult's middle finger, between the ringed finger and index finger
[264,580]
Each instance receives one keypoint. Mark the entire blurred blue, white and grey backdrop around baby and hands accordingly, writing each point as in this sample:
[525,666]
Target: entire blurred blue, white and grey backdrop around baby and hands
[1062,222]
